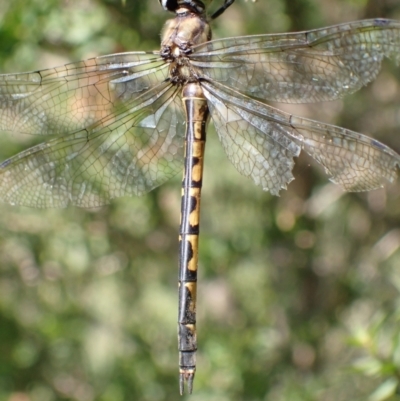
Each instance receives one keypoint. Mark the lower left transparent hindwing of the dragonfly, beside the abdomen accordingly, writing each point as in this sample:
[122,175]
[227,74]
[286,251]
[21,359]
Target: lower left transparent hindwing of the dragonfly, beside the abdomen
[129,152]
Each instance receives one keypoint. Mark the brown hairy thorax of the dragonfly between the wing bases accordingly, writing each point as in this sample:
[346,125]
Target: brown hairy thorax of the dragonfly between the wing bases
[179,35]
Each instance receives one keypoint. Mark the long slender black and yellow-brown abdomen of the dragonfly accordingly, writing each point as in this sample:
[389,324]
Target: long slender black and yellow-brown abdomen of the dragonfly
[197,115]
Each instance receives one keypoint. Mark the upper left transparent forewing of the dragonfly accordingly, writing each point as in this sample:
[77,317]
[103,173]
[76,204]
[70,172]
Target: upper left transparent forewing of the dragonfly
[71,97]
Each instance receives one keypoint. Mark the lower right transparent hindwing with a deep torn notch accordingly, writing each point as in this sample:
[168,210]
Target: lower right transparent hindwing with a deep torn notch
[261,142]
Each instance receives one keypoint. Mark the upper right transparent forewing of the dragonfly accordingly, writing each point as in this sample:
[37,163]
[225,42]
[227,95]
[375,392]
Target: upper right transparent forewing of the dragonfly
[311,66]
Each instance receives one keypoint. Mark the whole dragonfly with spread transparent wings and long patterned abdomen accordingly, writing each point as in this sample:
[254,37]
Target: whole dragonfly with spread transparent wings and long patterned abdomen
[123,124]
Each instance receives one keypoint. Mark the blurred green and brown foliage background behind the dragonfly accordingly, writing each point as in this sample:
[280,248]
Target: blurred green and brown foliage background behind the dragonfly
[299,296]
